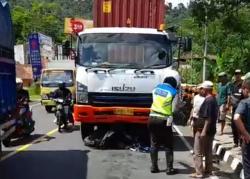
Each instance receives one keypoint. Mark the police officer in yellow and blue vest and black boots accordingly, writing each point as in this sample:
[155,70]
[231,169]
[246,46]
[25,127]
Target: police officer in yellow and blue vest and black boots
[160,123]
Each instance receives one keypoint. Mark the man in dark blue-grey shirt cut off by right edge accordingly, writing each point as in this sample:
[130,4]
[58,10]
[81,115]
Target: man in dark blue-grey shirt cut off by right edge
[242,121]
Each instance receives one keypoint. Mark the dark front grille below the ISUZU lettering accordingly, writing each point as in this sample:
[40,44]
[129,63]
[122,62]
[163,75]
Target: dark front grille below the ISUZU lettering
[120,99]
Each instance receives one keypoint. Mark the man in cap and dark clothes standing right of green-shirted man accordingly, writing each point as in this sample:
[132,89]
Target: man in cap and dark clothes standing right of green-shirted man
[235,98]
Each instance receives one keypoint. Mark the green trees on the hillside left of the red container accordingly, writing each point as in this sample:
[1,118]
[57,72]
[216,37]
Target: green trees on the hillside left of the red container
[46,16]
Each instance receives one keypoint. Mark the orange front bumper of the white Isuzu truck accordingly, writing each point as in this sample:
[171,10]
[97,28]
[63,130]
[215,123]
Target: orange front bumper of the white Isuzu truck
[92,114]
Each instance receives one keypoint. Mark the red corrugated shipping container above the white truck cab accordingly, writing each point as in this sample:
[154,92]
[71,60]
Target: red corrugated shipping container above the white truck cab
[129,13]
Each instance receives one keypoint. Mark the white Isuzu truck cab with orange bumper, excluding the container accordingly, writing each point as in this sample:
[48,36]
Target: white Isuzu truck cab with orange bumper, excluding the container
[117,69]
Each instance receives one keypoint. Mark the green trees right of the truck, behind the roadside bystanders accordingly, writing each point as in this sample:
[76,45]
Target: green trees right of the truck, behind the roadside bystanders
[228,27]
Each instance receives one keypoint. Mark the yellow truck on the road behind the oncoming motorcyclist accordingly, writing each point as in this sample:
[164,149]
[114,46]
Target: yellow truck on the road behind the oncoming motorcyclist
[50,79]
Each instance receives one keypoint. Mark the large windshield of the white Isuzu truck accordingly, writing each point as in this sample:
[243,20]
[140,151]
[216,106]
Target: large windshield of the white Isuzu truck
[124,50]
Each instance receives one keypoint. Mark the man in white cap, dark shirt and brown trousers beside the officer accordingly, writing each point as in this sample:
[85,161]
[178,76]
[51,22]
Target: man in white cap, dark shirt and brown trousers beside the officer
[208,113]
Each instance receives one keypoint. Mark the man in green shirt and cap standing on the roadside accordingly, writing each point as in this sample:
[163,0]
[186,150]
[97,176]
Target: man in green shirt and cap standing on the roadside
[223,98]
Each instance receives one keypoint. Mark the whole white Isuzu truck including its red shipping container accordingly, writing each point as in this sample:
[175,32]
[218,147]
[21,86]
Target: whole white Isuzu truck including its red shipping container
[120,61]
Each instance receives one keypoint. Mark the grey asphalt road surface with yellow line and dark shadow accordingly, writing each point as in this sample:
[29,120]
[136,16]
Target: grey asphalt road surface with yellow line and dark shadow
[48,154]
